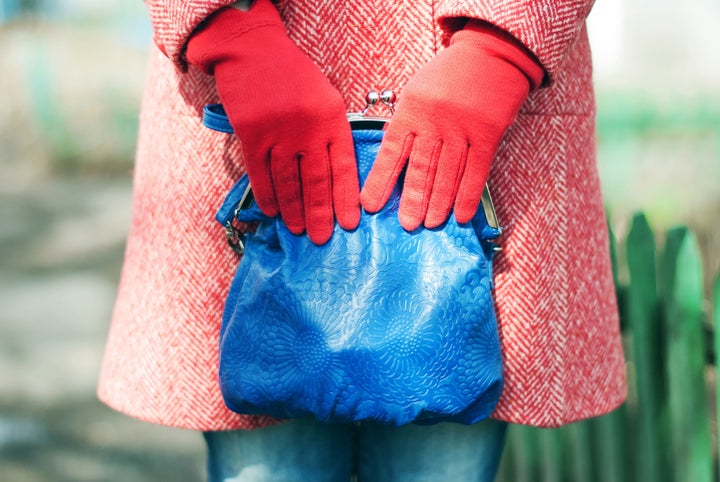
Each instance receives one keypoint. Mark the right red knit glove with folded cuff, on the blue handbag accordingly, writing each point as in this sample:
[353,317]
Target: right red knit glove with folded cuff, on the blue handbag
[449,121]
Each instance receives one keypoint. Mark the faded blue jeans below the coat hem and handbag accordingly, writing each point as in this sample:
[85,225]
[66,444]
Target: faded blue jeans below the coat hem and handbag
[305,450]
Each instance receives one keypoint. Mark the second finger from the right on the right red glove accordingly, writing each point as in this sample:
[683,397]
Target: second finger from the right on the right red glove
[447,182]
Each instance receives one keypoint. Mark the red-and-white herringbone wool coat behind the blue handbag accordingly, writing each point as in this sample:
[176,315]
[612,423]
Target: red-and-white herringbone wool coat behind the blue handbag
[555,299]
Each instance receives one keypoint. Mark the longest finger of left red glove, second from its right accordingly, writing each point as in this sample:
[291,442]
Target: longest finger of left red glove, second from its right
[317,195]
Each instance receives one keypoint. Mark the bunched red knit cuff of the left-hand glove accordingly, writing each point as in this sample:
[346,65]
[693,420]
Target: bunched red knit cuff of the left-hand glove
[217,37]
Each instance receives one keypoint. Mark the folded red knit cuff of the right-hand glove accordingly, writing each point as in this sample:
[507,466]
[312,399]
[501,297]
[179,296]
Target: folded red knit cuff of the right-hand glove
[501,44]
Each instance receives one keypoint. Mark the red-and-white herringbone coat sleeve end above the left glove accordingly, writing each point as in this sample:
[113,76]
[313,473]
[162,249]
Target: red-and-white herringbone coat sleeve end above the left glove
[173,21]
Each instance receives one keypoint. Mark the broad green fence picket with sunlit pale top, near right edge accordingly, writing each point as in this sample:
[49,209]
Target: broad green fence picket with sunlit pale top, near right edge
[692,453]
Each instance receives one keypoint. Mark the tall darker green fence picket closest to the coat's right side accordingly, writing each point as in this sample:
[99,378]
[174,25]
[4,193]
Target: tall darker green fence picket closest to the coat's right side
[643,320]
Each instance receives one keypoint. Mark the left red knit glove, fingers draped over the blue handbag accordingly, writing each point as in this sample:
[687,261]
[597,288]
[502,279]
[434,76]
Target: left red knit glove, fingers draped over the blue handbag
[295,135]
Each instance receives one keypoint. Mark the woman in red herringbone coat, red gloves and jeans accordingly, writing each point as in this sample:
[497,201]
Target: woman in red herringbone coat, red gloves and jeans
[502,81]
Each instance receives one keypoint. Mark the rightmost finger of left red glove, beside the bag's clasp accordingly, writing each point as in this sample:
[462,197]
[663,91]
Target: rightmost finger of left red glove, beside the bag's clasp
[345,183]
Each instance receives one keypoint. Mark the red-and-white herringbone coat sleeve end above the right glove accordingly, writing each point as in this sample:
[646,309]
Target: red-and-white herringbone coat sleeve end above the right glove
[547,28]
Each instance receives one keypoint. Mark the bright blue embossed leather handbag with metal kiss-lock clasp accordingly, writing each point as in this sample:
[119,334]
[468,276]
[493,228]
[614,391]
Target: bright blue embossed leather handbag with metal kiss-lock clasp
[377,324]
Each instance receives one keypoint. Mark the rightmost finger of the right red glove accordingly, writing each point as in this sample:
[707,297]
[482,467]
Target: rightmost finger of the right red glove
[471,186]
